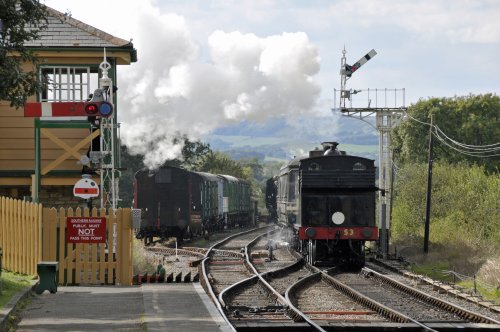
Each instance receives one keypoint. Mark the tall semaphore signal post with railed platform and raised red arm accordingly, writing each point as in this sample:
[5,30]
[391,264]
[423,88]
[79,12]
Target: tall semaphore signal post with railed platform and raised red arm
[383,109]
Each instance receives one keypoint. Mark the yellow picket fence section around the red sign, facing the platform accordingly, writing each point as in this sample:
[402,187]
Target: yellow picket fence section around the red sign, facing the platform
[93,263]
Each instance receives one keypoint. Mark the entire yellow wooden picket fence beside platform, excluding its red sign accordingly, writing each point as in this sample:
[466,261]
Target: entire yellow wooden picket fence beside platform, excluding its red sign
[30,233]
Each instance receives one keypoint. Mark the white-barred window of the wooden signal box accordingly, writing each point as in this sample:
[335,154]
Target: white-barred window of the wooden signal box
[65,83]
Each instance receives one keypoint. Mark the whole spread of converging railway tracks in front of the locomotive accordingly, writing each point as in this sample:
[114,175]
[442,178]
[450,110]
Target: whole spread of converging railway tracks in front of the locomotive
[253,291]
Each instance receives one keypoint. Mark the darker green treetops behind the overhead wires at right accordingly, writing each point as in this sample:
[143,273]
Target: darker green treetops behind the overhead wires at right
[472,120]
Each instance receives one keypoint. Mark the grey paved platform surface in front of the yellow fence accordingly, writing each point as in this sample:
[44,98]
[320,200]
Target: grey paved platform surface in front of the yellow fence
[150,307]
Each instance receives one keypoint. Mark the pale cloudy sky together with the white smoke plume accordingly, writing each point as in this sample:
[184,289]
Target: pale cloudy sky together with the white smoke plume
[206,64]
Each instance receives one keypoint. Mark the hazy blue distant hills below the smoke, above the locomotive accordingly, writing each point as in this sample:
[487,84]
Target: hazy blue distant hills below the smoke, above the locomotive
[278,140]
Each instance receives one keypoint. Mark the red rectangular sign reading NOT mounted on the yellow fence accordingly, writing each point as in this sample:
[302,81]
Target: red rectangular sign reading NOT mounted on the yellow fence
[85,230]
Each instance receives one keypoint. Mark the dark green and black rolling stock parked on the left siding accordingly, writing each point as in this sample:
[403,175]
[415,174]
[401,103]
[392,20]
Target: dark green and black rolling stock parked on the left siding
[178,203]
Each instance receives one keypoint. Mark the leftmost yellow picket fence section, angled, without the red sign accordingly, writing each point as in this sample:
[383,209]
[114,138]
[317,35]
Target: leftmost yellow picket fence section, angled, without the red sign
[20,235]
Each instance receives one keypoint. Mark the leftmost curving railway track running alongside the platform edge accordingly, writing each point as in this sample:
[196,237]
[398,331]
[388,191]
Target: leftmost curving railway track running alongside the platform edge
[250,303]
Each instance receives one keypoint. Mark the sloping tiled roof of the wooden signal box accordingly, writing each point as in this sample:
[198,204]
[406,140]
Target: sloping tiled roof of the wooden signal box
[64,31]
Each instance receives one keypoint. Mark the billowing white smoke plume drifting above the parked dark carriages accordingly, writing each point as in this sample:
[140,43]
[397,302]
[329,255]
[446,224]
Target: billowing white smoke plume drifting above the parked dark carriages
[178,87]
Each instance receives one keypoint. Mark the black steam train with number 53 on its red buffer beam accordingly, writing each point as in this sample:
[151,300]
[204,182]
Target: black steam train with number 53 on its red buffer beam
[328,200]
